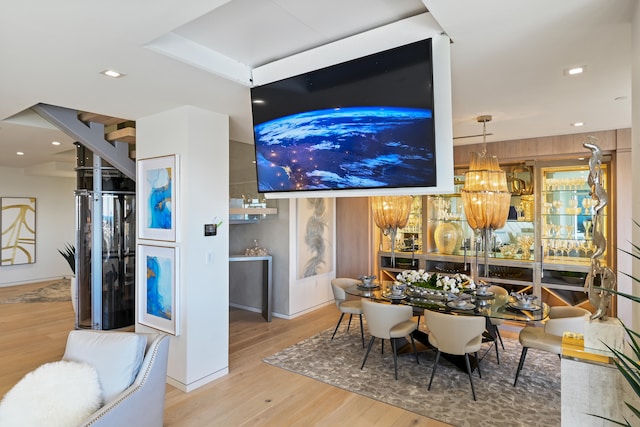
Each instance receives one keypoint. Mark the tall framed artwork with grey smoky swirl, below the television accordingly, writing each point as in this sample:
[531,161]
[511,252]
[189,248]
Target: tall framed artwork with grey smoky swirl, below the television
[315,231]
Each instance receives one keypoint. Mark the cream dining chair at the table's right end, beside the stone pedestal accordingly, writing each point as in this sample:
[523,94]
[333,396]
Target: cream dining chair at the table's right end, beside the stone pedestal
[549,337]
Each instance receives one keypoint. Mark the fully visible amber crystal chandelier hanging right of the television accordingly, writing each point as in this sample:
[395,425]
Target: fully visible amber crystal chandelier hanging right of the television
[485,196]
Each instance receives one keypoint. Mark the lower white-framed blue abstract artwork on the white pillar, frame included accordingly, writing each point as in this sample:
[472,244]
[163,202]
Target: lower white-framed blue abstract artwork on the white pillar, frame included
[158,287]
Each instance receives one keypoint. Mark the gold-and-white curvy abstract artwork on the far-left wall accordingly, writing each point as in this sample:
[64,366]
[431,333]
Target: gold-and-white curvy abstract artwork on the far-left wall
[18,225]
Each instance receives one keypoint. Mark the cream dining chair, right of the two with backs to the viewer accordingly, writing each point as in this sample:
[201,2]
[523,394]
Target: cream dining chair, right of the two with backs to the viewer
[456,335]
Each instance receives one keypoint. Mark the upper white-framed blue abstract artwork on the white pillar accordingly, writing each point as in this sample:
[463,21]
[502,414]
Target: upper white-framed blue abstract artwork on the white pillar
[157,178]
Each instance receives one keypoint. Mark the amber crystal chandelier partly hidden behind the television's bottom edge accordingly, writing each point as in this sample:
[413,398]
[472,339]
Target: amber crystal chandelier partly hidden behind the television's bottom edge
[391,213]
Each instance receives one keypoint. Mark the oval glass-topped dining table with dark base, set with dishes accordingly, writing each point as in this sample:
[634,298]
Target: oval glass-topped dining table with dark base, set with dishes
[471,302]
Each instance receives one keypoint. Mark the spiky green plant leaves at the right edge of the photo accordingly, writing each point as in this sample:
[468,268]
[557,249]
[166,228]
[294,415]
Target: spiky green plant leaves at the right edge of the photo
[628,366]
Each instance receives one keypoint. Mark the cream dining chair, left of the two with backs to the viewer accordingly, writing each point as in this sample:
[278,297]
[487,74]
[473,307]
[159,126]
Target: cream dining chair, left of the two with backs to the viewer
[389,322]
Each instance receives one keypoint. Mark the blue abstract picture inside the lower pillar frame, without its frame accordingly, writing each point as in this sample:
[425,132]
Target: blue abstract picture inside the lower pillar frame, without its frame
[159,286]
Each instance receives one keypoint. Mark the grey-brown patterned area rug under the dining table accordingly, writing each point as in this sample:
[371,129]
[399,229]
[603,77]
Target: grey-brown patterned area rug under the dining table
[534,402]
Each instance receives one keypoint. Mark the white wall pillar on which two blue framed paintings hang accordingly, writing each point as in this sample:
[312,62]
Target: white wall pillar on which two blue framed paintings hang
[200,139]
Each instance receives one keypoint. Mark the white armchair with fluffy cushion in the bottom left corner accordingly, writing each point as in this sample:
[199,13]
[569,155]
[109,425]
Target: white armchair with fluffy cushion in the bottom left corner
[105,379]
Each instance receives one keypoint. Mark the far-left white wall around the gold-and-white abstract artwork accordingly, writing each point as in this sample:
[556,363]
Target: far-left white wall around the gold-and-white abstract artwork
[55,224]
